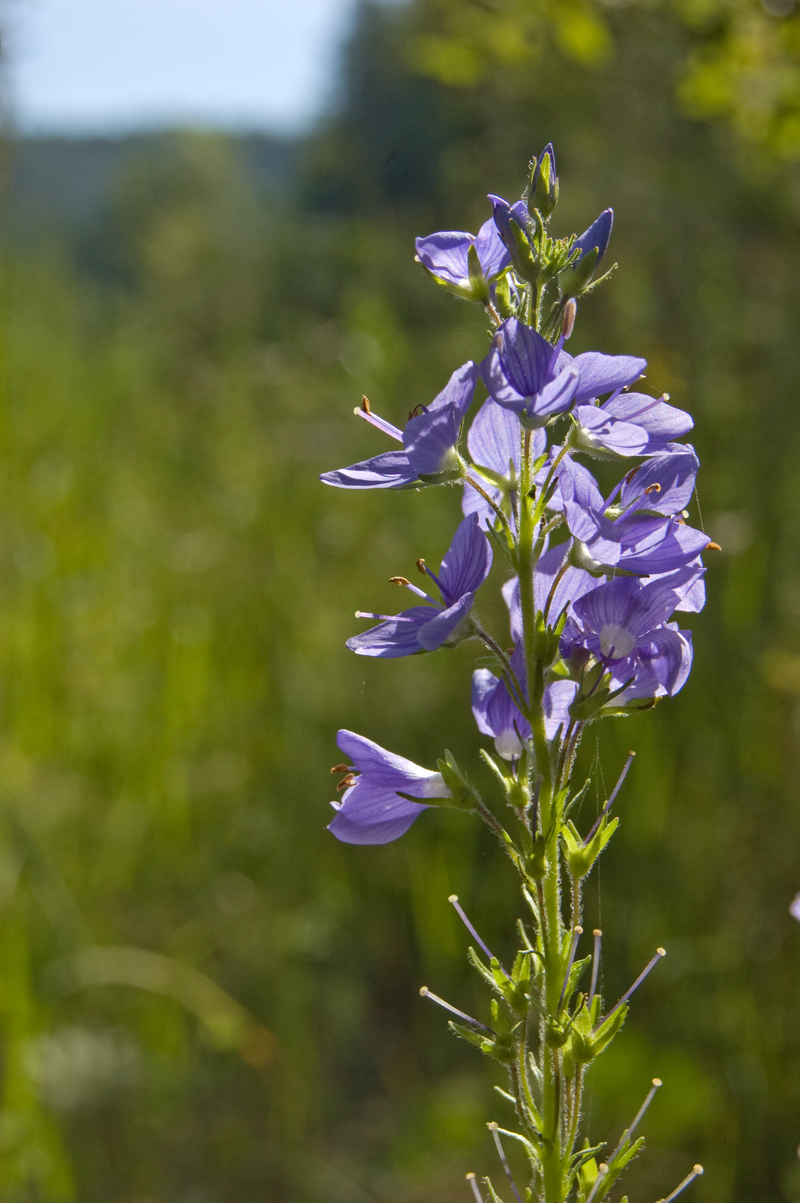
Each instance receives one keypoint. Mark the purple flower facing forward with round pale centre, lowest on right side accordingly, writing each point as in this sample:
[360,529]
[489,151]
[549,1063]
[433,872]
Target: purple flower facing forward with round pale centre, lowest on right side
[624,624]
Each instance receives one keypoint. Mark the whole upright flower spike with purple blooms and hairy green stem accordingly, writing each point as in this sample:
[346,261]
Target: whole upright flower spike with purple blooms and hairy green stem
[596,586]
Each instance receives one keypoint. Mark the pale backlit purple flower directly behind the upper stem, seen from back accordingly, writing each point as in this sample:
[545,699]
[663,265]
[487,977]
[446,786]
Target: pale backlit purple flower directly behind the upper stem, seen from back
[495,445]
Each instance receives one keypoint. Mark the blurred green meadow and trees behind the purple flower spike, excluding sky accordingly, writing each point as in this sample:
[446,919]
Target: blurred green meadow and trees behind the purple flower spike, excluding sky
[204,998]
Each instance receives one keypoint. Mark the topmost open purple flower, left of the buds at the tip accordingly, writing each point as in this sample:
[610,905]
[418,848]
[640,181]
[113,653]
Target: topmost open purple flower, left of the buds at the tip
[465,264]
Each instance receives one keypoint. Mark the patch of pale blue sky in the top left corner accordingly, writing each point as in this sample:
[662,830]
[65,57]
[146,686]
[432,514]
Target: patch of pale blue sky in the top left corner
[93,66]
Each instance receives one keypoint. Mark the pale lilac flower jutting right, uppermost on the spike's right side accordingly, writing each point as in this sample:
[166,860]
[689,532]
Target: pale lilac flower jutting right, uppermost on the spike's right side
[629,424]
